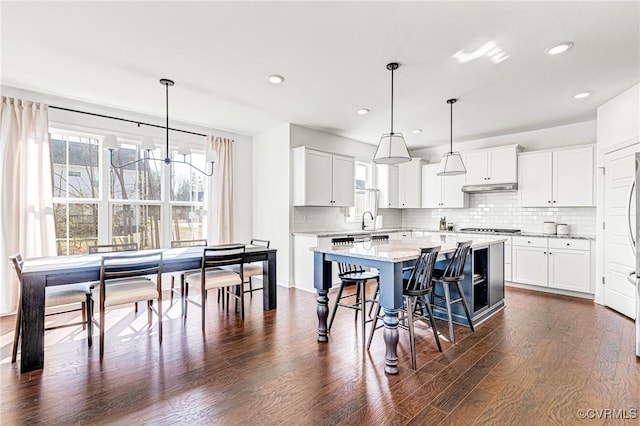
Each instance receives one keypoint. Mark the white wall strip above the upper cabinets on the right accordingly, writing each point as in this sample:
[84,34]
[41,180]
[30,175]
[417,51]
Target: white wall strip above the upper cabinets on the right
[552,137]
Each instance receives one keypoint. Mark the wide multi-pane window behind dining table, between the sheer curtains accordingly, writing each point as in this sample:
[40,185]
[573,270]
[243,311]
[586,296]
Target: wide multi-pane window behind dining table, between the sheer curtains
[95,203]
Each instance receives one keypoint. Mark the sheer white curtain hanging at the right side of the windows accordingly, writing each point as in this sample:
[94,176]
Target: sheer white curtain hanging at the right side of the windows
[218,200]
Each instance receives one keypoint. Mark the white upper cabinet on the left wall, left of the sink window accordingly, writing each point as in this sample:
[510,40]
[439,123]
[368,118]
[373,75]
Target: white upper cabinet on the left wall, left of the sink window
[322,179]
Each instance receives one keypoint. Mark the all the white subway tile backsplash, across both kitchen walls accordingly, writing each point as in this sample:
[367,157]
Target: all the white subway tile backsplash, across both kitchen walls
[490,210]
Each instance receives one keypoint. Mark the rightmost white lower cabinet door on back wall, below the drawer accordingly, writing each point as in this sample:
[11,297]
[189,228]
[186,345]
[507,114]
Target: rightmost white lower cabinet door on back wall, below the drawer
[570,270]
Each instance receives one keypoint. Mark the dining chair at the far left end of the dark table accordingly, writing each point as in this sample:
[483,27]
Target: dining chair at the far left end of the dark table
[55,296]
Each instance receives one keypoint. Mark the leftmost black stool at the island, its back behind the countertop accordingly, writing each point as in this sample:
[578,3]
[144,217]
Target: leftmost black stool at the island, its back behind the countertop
[351,274]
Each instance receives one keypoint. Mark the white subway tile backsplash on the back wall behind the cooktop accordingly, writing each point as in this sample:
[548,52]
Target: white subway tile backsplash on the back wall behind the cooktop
[501,210]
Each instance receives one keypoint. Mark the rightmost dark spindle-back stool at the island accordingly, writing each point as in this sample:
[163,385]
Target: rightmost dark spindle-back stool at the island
[452,274]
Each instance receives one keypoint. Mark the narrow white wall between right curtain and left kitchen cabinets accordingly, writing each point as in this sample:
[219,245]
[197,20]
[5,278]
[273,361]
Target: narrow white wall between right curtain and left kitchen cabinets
[272,194]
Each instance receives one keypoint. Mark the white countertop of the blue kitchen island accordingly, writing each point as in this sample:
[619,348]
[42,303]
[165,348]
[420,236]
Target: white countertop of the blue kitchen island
[401,250]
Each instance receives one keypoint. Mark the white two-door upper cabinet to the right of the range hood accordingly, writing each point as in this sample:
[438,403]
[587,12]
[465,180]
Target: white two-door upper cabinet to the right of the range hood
[558,178]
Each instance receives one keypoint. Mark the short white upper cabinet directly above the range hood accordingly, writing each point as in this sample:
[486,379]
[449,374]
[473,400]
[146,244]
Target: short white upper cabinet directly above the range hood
[493,165]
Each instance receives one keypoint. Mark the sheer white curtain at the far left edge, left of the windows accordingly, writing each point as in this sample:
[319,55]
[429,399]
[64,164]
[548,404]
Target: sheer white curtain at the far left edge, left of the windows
[26,200]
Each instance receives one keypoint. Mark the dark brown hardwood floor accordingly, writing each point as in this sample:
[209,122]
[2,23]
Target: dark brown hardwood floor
[540,361]
